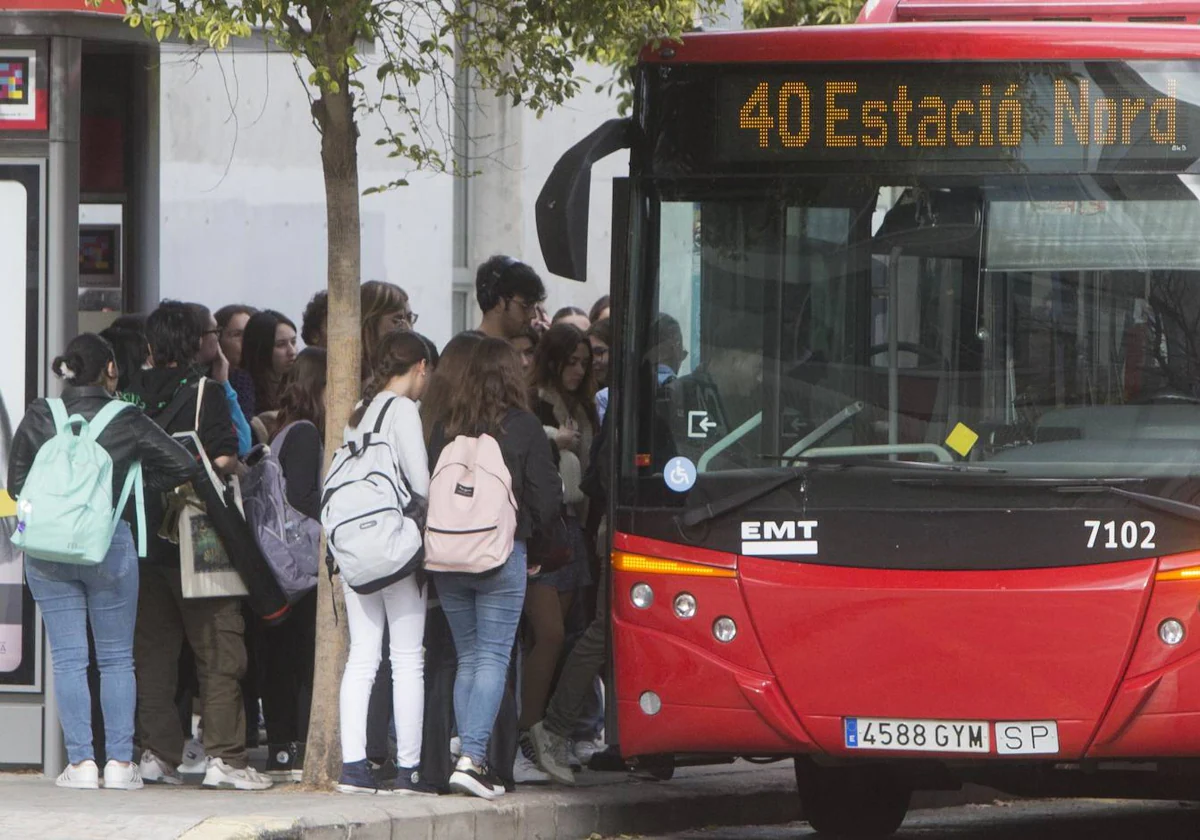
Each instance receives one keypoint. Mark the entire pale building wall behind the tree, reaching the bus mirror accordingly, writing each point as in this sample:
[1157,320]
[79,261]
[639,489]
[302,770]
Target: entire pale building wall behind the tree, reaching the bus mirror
[243,215]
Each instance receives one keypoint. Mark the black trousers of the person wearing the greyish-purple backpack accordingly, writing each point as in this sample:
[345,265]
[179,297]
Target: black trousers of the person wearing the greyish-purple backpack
[289,652]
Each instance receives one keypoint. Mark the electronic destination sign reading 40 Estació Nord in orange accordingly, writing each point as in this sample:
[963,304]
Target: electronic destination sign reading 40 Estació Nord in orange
[959,112]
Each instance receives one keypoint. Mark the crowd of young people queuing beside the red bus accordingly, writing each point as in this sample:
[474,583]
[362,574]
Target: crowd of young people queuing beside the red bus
[454,681]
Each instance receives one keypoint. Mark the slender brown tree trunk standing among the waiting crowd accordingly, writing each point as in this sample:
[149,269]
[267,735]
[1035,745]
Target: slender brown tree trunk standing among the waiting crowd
[339,155]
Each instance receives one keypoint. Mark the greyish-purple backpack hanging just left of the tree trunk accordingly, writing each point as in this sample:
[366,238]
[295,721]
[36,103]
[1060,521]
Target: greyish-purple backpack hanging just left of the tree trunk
[289,539]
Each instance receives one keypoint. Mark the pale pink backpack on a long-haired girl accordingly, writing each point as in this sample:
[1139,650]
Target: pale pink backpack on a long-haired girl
[473,514]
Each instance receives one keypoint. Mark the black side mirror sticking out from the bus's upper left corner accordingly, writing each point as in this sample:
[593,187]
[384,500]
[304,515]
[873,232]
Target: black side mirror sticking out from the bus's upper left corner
[562,208]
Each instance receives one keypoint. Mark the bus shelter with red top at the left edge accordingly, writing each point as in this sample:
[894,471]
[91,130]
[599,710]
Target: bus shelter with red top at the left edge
[79,220]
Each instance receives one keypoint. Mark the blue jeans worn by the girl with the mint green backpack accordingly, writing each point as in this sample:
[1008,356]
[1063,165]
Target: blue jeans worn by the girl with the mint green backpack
[107,596]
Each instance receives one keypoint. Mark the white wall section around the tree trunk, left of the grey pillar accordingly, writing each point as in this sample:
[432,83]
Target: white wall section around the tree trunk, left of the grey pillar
[243,215]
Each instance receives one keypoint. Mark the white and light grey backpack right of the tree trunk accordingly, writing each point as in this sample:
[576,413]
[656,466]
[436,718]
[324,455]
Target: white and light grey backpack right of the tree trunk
[365,511]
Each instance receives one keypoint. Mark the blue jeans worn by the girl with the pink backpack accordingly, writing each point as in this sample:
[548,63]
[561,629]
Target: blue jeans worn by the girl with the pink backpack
[483,613]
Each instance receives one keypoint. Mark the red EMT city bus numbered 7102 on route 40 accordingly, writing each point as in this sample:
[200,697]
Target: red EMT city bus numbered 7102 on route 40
[907,401]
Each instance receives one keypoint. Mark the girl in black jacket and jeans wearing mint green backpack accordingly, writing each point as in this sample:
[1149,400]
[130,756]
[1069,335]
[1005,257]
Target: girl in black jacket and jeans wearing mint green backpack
[76,464]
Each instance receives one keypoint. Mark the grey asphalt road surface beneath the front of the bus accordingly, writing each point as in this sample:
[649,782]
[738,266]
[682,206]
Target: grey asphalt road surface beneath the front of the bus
[1052,820]
